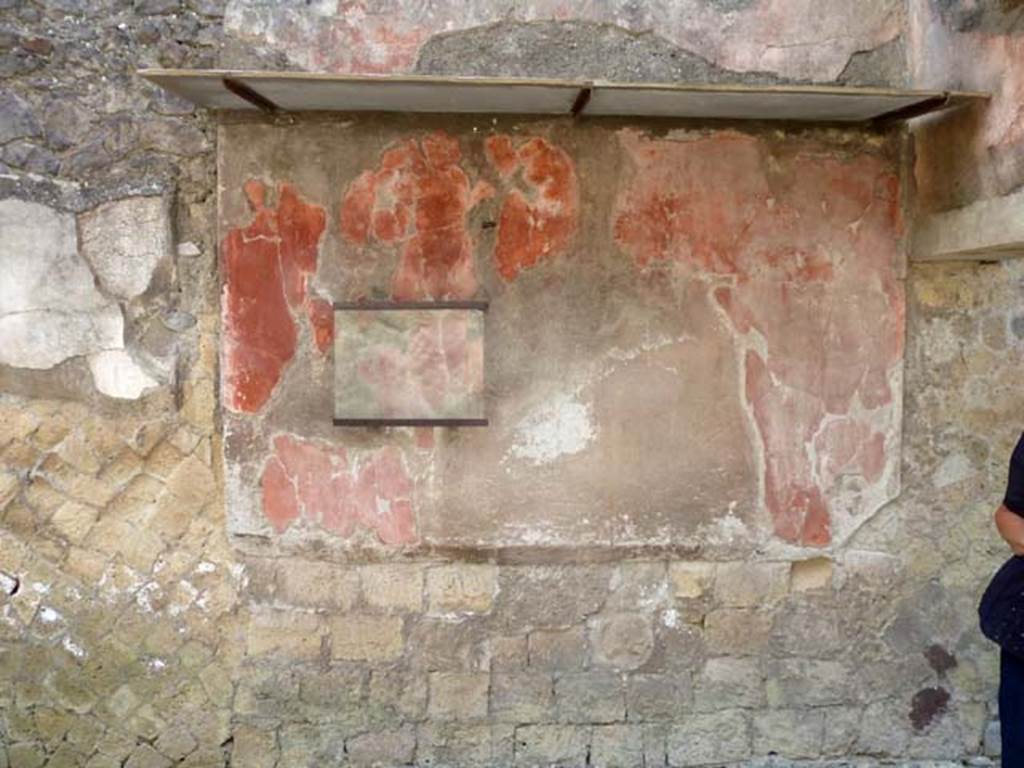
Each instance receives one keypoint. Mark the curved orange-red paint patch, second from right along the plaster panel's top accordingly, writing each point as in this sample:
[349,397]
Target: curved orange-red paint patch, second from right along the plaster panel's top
[538,224]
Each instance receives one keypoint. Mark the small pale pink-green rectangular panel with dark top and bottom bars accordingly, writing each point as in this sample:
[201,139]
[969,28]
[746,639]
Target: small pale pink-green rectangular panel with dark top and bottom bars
[409,364]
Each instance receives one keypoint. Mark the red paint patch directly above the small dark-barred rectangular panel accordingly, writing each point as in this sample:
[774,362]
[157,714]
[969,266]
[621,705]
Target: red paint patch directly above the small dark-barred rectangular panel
[418,200]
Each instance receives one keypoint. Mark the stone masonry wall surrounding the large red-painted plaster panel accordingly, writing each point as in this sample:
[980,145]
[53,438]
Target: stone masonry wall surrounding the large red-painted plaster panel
[134,634]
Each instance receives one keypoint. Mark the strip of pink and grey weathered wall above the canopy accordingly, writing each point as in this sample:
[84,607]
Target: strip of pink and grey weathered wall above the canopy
[618,40]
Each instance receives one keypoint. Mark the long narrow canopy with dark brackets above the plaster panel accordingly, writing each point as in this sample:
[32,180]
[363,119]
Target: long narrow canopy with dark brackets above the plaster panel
[297,92]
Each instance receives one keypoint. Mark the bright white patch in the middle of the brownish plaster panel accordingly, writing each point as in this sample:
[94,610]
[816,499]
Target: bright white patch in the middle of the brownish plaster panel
[563,426]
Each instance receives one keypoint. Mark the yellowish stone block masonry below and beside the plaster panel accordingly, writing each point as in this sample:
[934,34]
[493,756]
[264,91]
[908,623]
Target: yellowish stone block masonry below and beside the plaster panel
[134,634]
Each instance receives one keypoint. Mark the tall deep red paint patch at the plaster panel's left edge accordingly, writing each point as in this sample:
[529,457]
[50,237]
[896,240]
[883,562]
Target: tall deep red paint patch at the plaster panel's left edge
[267,271]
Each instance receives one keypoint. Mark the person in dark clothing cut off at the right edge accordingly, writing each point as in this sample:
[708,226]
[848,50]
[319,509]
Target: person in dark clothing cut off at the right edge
[1010,523]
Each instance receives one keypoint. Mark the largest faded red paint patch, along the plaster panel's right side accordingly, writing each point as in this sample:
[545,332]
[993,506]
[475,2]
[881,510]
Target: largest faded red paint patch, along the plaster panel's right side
[805,246]
